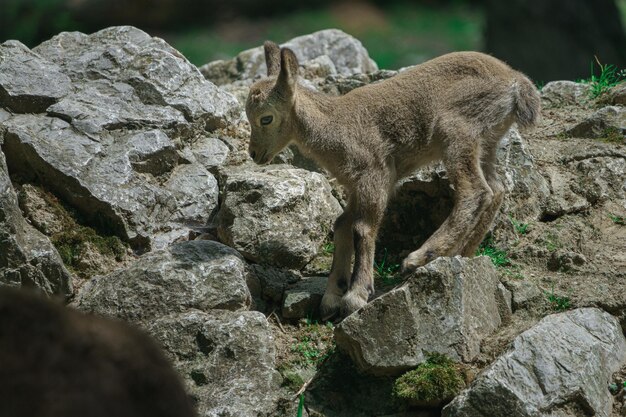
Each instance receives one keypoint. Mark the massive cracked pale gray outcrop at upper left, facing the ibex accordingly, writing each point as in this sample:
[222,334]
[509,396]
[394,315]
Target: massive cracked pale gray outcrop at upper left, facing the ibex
[127,107]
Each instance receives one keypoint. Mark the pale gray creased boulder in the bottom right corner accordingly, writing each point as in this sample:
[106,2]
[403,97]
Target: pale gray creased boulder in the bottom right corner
[563,363]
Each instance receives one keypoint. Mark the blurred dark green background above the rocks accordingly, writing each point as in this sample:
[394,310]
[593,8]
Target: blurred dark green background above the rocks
[547,39]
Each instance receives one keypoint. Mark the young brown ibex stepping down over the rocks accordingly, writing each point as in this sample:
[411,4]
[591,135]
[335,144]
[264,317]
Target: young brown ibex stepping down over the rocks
[454,108]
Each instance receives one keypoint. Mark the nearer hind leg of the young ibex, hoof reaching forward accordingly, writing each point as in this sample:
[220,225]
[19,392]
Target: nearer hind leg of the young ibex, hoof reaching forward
[473,196]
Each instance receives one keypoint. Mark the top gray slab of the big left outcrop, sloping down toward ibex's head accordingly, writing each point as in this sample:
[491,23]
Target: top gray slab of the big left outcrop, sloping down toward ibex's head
[157,73]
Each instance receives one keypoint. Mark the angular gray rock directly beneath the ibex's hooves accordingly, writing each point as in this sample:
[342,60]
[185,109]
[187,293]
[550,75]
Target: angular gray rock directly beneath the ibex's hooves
[449,306]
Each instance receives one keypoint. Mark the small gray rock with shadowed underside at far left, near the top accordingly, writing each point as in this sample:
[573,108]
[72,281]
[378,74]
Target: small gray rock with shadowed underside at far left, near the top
[28,82]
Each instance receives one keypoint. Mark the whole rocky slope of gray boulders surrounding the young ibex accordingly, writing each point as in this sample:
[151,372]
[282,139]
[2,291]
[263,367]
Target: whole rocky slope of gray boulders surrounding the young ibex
[126,188]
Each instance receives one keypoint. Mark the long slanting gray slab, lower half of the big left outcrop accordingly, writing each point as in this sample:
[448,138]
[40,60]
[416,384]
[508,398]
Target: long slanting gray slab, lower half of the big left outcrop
[105,178]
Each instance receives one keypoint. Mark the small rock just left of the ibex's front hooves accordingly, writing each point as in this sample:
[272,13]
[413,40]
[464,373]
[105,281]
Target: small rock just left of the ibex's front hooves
[303,298]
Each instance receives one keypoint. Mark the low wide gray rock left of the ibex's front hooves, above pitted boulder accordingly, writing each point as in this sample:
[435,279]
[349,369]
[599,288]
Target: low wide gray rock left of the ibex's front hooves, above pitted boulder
[199,275]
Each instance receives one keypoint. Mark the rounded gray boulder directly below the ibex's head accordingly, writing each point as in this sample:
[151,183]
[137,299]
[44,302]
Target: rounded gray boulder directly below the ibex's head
[276,214]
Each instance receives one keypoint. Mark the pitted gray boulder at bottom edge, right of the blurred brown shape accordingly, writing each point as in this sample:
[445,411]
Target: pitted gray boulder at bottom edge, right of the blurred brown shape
[226,358]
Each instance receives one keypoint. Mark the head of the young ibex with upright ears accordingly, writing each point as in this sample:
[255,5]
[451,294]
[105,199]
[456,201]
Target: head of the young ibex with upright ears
[270,104]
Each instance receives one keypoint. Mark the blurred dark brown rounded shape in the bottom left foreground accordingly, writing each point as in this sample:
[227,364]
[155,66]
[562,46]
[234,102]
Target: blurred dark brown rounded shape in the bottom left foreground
[57,362]
